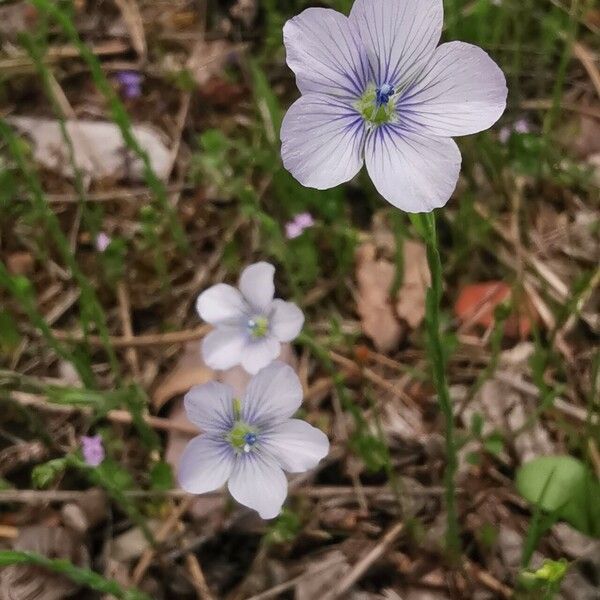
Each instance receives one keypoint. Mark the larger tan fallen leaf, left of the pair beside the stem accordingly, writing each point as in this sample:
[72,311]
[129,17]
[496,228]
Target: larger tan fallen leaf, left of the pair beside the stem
[375,278]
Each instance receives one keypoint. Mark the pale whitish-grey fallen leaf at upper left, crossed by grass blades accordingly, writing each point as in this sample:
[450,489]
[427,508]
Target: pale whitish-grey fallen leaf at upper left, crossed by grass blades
[99,149]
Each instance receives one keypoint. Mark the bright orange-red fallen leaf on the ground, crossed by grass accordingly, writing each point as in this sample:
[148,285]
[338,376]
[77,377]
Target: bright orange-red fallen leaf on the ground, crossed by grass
[476,304]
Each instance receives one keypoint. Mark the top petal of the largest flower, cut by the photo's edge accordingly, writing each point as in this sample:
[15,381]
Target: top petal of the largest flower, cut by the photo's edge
[400,36]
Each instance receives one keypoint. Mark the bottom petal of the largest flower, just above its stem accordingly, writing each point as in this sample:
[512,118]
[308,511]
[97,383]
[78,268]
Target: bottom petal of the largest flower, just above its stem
[412,172]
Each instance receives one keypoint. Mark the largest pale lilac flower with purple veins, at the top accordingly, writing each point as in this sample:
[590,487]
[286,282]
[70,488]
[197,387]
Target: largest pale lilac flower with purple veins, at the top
[377,89]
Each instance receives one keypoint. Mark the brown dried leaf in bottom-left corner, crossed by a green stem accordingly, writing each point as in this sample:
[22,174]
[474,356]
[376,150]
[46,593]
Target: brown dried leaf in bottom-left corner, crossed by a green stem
[27,582]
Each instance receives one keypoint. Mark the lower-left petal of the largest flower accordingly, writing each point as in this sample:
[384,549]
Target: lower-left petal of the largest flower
[322,141]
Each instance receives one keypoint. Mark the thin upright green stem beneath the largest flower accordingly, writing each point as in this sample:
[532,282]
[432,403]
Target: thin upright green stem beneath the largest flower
[426,226]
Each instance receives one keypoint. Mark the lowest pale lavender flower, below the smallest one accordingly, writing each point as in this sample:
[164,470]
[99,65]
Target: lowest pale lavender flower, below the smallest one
[250,442]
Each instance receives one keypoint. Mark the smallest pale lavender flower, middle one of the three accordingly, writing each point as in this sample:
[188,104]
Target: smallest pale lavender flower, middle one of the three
[249,324]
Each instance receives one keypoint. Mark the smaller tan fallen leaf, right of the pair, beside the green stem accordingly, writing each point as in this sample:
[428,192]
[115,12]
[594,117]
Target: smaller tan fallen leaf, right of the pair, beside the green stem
[417,278]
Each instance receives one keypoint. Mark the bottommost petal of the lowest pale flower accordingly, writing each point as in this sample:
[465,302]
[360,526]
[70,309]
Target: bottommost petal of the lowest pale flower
[259,483]
